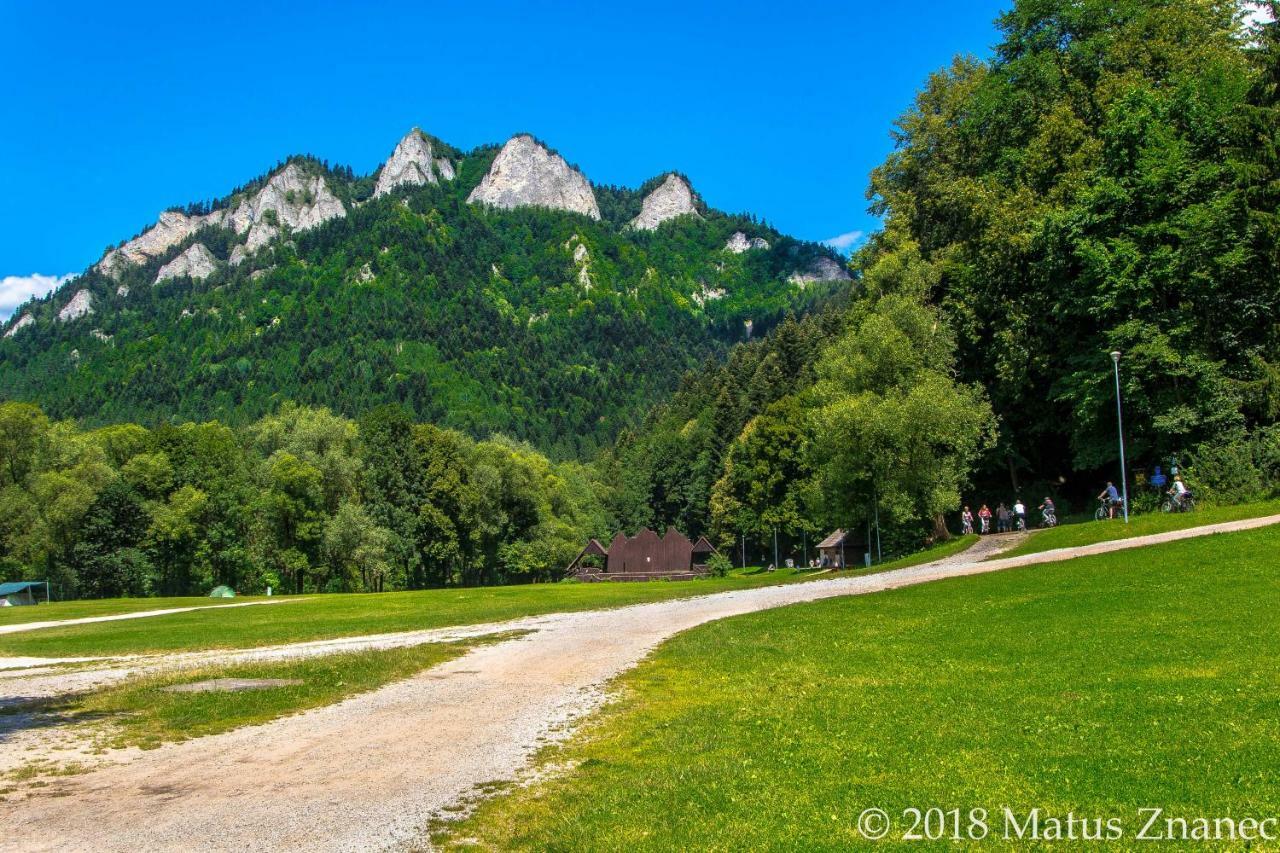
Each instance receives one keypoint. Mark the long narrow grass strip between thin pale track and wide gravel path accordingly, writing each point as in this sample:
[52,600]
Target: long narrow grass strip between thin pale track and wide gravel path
[326,617]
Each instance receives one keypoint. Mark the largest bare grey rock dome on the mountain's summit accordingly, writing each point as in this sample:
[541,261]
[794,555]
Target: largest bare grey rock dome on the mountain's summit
[525,175]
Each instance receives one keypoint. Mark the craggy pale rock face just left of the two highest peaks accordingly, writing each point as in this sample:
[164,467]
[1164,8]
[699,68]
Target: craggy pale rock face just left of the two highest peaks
[291,198]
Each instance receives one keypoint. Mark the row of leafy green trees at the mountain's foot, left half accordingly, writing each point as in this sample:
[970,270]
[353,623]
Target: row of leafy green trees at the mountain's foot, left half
[300,501]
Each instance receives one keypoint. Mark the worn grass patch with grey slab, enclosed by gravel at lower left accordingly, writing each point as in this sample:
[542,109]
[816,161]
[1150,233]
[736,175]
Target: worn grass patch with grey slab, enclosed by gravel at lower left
[144,714]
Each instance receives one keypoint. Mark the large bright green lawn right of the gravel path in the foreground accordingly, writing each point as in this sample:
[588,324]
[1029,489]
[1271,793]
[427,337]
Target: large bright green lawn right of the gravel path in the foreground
[1098,687]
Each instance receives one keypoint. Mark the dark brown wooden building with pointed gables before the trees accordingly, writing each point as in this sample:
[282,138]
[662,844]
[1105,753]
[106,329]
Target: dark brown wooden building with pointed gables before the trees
[646,556]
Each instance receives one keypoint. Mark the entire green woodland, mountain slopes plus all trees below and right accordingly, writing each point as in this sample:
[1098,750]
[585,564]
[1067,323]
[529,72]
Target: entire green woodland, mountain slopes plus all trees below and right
[1108,180]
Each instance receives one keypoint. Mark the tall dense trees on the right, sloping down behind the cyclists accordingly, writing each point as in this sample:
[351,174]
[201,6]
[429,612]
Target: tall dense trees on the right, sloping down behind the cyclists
[1108,181]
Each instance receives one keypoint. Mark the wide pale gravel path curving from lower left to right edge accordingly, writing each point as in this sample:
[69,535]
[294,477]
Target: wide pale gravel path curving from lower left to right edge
[369,773]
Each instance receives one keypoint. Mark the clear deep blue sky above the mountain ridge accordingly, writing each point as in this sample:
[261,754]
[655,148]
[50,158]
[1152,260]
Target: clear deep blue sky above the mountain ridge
[109,115]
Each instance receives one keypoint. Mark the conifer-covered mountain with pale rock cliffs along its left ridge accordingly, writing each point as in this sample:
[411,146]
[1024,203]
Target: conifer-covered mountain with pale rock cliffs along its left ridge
[543,325]
